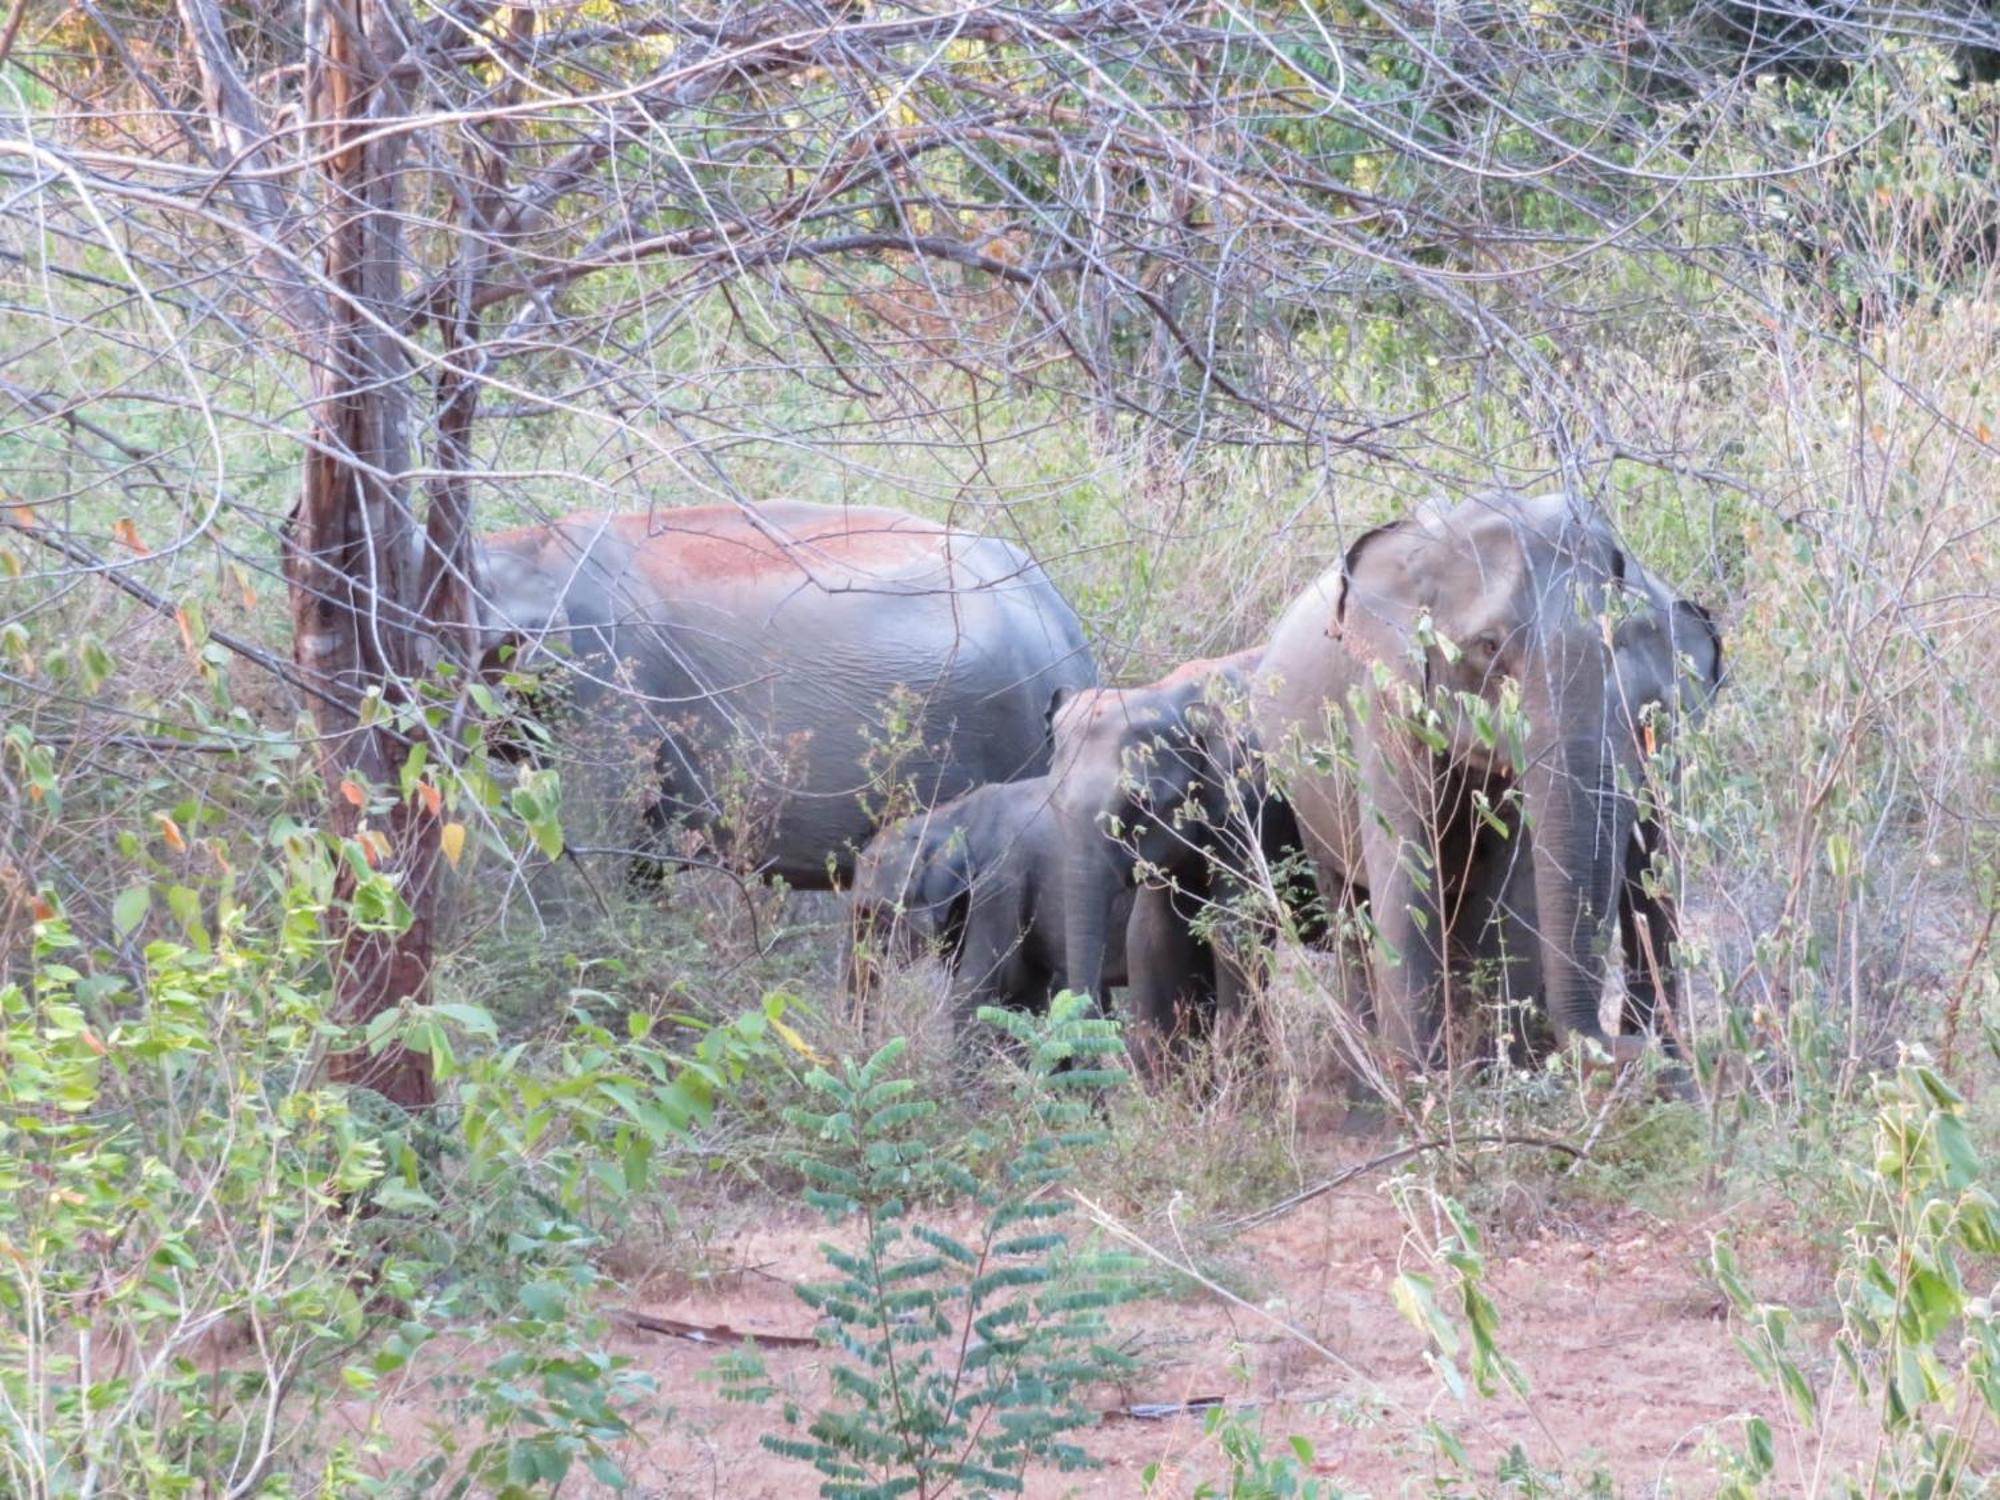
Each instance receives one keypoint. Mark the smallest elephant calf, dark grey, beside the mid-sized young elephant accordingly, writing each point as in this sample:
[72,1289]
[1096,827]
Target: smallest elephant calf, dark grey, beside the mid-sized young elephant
[977,881]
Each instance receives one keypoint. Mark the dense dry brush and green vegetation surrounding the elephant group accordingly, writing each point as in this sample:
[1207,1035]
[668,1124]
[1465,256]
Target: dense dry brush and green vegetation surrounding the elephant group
[1181,297]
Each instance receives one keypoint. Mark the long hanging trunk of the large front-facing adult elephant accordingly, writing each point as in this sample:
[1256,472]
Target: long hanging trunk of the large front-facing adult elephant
[1581,827]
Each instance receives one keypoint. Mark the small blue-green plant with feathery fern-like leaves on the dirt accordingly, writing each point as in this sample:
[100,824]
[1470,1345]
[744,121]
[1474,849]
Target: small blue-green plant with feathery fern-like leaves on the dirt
[965,1359]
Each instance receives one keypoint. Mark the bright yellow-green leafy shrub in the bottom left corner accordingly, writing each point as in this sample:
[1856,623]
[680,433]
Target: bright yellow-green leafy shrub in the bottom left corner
[177,1217]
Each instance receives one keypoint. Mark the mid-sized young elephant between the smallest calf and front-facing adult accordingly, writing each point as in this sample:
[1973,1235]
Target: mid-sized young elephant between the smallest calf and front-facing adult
[1161,803]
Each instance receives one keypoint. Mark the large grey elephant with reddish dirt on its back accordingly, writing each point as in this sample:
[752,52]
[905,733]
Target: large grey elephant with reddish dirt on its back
[809,665]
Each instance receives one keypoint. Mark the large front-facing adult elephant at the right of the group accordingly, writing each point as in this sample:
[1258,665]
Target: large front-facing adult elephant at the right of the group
[1411,657]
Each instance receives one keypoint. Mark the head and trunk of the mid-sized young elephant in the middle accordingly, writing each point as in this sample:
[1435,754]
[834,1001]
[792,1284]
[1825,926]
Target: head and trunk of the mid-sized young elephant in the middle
[1141,783]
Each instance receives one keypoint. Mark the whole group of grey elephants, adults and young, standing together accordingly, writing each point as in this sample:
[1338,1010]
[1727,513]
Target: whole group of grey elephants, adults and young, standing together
[1451,743]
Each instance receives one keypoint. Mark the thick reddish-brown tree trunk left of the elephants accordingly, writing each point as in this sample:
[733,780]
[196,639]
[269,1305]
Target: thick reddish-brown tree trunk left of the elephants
[349,547]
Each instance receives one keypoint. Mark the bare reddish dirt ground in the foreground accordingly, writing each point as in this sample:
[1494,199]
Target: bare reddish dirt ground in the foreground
[1607,1309]
